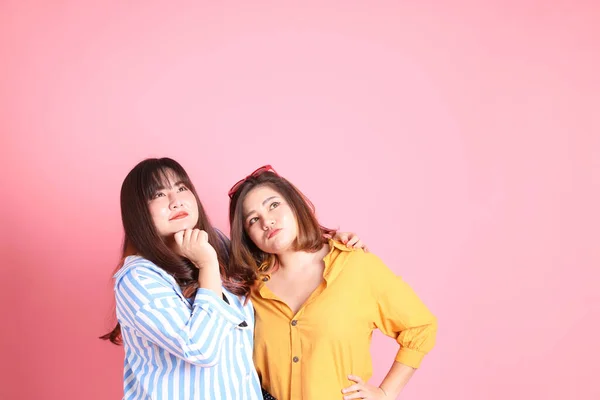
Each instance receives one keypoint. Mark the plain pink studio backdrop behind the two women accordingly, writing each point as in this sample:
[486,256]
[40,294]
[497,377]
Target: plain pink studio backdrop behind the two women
[460,140]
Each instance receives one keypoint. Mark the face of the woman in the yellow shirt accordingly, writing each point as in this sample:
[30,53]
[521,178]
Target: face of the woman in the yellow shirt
[269,221]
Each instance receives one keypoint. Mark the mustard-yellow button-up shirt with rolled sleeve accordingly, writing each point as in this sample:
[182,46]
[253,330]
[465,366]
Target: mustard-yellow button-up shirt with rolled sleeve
[309,355]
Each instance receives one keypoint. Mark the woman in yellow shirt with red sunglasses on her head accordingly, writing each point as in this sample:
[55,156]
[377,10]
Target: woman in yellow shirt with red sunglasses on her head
[317,302]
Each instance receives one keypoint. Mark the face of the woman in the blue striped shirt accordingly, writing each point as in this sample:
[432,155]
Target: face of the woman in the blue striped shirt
[173,208]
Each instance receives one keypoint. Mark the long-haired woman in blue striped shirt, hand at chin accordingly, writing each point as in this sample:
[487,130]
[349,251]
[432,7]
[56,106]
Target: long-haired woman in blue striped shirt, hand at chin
[184,318]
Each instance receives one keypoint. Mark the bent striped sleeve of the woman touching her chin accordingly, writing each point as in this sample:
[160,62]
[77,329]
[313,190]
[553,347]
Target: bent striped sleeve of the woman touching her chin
[151,305]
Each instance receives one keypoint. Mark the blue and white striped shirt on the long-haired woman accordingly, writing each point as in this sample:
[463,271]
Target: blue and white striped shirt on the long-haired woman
[177,348]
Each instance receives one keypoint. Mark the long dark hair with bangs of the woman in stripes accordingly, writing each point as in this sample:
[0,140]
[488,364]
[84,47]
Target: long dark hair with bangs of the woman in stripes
[142,238]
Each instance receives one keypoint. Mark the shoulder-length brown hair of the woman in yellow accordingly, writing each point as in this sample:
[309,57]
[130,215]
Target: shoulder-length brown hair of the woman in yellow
[244,253]
